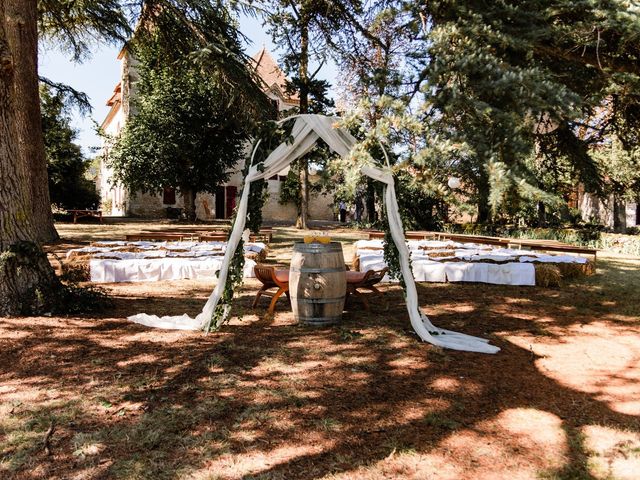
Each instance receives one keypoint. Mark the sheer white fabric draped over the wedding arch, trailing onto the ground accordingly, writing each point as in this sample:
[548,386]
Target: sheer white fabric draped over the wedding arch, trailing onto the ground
[305,132]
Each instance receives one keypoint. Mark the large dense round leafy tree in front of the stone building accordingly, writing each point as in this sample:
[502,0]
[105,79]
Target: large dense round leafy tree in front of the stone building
[186,132]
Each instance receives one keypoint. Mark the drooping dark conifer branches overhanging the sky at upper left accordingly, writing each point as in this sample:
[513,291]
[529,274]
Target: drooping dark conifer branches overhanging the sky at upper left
[203,31]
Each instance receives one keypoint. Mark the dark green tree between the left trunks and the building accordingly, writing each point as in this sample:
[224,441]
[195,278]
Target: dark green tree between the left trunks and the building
[67,168]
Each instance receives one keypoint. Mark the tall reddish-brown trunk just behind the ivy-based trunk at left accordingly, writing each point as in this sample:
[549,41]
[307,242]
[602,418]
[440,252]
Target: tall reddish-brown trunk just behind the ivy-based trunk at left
[22,37]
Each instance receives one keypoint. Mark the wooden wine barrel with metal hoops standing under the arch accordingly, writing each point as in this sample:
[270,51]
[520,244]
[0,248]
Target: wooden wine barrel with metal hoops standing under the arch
[317,283]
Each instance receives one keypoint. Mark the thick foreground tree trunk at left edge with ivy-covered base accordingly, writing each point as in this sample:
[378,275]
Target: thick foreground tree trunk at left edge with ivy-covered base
[27,281]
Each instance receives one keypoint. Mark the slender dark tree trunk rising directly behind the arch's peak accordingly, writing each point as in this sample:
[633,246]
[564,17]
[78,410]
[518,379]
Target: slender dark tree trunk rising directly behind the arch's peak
[304,108]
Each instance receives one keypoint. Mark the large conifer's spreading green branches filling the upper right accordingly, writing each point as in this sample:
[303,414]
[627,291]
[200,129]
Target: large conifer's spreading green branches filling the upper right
[514,98]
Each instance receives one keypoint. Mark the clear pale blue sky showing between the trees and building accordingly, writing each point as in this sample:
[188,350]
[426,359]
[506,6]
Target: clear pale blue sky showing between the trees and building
[98,75]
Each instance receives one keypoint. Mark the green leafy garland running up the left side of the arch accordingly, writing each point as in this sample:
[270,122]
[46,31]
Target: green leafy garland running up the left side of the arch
[271,134]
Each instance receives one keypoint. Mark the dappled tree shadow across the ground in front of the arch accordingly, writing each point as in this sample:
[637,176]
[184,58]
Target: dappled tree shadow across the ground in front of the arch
[269,399]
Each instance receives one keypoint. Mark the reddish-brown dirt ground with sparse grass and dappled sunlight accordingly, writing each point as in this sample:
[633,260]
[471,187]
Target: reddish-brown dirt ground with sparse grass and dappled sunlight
[99,397]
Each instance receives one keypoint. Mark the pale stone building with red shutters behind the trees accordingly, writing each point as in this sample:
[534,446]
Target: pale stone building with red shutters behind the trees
[116,200]
